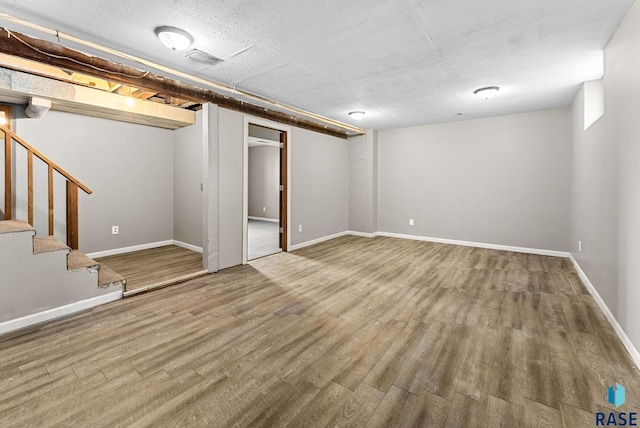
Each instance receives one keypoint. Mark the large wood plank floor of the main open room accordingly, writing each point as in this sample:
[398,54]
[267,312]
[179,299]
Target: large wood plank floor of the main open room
[352,332]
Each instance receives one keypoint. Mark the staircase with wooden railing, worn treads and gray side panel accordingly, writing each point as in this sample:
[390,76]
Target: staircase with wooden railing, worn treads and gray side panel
[39,274]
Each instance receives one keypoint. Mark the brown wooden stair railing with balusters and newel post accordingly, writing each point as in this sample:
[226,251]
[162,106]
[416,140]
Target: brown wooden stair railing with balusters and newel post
[72,186]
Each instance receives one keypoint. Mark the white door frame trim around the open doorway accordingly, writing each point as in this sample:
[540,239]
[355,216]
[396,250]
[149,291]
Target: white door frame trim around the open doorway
[287,186]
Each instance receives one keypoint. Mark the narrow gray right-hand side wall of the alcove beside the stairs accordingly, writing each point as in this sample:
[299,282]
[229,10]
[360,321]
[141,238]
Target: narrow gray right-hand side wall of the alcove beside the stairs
[187,178]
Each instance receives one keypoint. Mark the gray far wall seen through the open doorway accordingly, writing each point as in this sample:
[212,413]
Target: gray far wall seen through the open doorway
[264,182]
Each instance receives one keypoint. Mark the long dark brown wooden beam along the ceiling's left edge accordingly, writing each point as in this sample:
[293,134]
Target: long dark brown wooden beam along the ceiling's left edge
[42,51]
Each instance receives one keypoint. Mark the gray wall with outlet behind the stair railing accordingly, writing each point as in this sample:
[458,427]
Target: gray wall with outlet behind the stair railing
[129,168]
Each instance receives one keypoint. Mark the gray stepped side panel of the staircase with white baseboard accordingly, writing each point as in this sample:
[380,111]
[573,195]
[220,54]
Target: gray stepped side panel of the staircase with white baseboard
[38,287]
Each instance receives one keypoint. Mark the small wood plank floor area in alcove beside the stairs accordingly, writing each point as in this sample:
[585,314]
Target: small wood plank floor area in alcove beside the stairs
[157,265]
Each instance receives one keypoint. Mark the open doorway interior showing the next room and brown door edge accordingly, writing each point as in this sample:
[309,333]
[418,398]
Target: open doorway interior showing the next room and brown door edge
[266,190]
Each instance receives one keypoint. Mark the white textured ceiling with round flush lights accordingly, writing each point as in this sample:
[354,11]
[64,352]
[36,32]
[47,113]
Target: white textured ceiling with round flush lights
[404,62]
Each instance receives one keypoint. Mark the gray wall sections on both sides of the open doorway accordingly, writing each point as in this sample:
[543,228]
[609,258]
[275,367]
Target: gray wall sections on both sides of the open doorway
[319,185]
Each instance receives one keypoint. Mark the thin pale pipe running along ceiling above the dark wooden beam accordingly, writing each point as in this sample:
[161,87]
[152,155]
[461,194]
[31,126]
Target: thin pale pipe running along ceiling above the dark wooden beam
[64,36]
